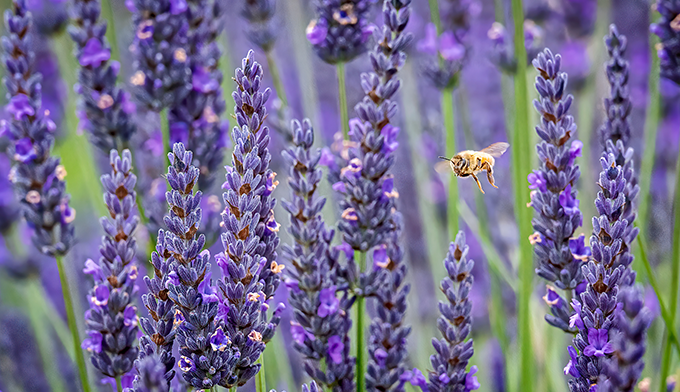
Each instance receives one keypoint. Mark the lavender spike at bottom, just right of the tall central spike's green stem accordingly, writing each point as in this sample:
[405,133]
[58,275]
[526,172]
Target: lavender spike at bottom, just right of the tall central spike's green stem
[387,343]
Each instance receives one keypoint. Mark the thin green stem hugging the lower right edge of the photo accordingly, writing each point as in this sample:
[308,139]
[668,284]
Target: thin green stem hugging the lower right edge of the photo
[667,358]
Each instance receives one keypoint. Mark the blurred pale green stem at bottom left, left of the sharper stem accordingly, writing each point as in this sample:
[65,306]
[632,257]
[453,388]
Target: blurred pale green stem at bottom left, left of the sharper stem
[42,334]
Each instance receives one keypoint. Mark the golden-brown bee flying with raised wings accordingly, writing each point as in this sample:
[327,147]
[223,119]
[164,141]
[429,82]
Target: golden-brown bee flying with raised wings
[469,163]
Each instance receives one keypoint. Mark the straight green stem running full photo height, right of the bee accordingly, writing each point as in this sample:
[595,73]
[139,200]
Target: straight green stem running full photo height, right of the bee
[520,166]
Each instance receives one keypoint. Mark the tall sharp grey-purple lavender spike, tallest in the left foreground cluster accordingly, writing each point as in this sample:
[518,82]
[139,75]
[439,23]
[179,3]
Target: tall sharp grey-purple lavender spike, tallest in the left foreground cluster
[249,267]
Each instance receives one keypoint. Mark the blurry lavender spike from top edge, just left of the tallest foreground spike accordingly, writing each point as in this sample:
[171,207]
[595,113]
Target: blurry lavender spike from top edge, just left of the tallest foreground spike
[195,119]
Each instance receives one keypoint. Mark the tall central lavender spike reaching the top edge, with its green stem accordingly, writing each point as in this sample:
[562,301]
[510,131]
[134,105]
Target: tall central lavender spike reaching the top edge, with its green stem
[367,187]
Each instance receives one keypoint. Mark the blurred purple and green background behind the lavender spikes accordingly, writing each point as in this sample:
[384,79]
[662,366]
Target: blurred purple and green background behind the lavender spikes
[483,106]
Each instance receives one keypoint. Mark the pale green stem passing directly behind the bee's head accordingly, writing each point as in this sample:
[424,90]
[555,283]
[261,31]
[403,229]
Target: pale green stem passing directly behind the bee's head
[450,136]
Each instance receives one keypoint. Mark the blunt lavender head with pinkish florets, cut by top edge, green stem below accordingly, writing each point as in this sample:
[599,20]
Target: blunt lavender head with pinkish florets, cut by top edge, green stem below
[162,75]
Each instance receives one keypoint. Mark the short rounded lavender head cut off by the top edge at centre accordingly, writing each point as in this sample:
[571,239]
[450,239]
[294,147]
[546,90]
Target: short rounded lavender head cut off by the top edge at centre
[341,29]
